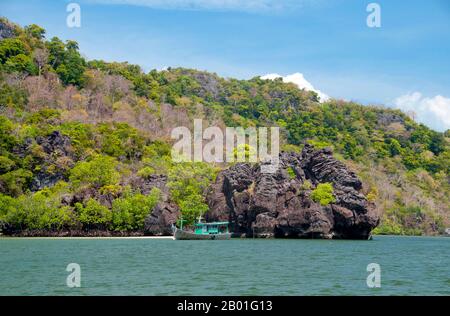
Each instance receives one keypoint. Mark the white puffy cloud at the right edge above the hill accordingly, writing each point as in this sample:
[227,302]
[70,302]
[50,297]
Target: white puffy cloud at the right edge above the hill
[433,112]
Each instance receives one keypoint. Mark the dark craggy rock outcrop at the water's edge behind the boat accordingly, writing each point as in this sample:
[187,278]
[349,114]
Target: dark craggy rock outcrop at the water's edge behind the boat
[280,204]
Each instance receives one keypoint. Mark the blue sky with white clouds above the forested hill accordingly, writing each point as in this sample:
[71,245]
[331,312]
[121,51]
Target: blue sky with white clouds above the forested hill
[321,45]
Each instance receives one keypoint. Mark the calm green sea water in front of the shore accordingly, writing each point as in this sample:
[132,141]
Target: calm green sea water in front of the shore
[409,266]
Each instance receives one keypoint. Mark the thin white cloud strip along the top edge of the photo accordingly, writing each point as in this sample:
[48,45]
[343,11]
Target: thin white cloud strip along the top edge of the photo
[215,5]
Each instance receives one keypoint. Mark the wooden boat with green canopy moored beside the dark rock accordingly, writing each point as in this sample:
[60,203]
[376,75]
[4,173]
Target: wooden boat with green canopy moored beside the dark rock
[202,231]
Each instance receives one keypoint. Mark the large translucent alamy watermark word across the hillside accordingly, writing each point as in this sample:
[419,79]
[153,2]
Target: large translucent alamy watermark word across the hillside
[241,144]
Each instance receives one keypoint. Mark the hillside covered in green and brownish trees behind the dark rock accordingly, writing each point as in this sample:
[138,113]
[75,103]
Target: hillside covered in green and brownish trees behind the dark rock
[80,139]
